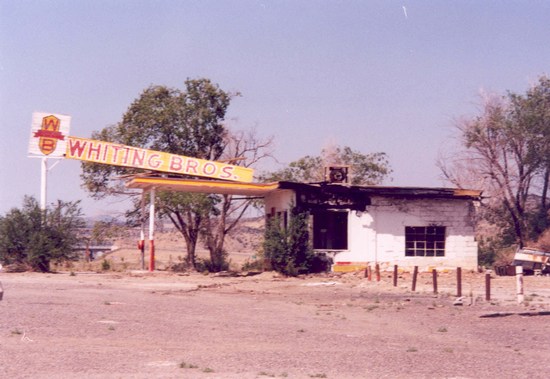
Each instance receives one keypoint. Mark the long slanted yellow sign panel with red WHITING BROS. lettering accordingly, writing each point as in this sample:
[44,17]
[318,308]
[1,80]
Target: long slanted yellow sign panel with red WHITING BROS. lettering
[121,155]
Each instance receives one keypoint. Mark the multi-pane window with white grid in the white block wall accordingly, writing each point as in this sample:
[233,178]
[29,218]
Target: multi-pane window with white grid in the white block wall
[425,241]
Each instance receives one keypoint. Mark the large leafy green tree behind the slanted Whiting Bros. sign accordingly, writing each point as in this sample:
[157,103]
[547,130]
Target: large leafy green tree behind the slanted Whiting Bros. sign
[187,122]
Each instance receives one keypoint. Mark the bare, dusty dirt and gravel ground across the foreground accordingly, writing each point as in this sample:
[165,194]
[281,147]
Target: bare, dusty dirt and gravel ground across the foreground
[159,325]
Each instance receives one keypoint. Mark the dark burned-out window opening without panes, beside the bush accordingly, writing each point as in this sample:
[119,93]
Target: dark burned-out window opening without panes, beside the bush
[330,230]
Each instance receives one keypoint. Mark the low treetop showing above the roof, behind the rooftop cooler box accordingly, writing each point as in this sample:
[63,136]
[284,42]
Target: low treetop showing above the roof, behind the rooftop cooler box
[366,169]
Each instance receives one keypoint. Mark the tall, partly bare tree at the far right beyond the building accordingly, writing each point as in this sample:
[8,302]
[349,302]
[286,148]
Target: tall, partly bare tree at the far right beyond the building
[505,150]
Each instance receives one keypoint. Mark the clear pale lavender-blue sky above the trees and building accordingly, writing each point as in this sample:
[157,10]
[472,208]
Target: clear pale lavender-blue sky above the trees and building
[386,76]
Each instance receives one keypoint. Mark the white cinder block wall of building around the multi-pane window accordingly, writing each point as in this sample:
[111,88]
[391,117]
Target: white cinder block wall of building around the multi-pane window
[378,235]
